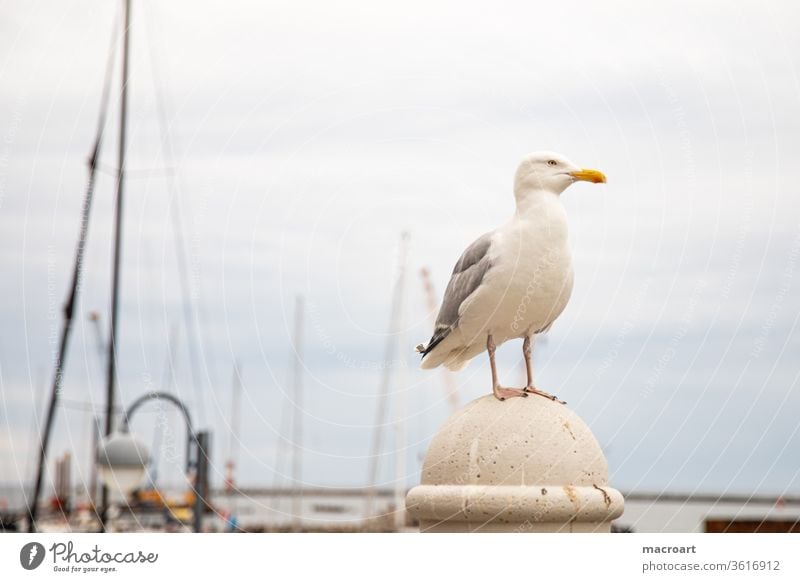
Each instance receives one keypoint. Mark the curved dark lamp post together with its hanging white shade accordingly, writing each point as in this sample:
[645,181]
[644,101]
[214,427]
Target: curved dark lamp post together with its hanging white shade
[122,459]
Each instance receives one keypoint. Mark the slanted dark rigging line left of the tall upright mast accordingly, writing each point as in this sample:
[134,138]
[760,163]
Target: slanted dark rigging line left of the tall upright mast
[72,294]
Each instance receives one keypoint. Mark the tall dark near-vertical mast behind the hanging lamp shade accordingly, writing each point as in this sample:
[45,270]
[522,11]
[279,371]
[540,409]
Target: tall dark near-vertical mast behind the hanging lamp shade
[112,336]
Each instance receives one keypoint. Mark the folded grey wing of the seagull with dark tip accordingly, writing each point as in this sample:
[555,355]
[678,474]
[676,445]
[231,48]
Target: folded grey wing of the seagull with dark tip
[466,278]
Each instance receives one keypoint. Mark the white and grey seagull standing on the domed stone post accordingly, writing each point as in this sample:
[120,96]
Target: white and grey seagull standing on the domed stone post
[512,282]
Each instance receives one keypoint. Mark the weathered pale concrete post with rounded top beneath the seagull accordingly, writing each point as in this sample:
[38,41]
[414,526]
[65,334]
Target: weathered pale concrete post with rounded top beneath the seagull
[524,465]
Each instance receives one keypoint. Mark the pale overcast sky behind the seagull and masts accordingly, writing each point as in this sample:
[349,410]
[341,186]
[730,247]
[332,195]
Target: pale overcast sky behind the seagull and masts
[308,136]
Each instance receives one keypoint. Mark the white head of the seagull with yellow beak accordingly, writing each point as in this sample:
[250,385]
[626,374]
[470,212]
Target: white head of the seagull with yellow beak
[551,172]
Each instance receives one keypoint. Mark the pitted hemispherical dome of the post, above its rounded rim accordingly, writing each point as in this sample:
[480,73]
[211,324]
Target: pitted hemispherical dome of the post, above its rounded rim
[518,442]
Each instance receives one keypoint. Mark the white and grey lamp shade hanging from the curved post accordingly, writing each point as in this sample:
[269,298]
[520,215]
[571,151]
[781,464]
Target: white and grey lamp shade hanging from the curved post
[122,461]
